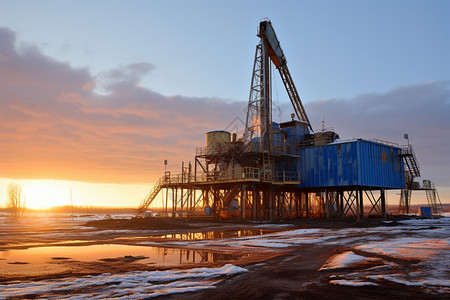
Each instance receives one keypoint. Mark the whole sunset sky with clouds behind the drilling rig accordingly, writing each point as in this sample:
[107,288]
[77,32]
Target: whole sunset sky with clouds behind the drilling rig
[94,95]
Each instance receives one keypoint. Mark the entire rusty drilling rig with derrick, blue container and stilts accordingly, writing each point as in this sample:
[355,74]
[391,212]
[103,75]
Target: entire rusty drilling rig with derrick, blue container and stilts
[286,170]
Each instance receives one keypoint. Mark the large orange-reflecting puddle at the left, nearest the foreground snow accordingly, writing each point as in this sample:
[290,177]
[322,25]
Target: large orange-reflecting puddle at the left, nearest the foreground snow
[42,259]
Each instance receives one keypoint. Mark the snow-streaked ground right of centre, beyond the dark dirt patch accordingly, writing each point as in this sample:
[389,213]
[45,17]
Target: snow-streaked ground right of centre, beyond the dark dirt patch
[422,242]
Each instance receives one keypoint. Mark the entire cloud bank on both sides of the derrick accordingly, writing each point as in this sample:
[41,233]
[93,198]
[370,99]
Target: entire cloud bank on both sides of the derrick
[55,124]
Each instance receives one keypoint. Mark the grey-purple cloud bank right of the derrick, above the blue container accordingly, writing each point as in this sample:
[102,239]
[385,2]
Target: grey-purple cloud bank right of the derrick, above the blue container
[420,110]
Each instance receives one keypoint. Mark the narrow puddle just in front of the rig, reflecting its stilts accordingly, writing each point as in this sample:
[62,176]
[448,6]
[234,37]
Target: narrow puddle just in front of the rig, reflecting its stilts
[215,235]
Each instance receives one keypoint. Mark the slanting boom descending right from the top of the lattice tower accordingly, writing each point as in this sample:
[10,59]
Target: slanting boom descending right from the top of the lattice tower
[267,33]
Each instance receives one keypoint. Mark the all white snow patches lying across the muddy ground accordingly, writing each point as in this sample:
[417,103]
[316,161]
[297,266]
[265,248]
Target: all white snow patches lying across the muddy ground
[415,253]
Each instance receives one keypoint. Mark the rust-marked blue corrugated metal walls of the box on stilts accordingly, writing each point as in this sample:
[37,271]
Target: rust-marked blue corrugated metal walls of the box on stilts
[353,163]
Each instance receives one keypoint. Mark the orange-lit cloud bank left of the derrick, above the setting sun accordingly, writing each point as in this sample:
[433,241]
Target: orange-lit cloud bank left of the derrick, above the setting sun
[55,124]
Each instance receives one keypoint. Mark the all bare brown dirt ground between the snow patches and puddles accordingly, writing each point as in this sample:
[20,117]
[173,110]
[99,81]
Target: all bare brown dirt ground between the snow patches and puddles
[287,274]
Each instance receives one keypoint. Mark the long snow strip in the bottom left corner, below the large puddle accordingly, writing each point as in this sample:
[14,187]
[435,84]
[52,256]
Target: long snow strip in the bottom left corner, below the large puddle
[128,285]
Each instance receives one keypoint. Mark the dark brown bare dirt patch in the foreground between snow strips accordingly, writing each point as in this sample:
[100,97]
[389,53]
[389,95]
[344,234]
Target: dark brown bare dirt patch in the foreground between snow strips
[296,276]
